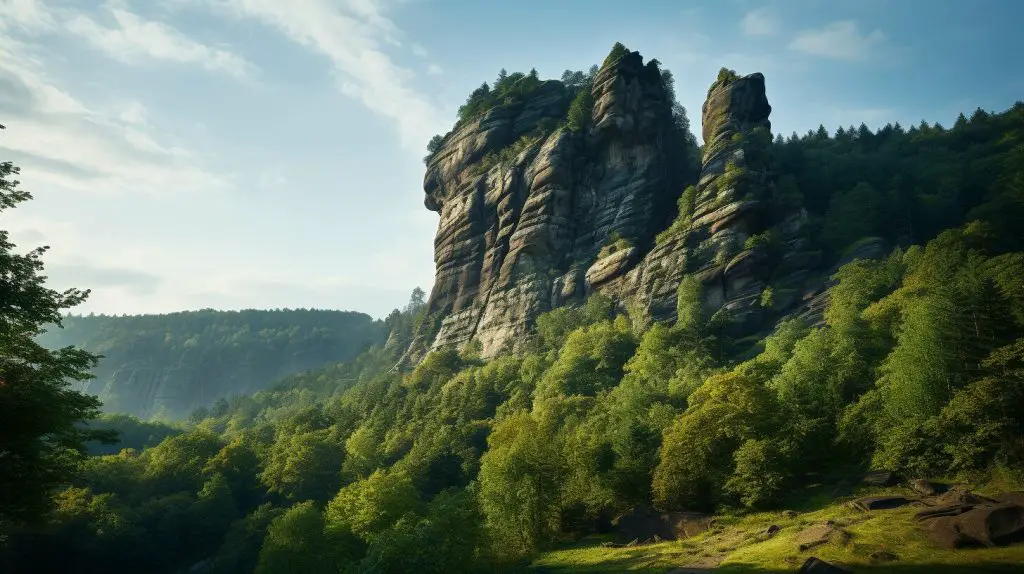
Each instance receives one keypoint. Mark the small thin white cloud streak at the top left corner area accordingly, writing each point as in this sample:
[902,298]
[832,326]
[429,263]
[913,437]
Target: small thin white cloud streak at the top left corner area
[134,39]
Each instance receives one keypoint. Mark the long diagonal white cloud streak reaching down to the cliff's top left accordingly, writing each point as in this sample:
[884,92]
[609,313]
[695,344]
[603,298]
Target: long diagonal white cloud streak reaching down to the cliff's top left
[352,34]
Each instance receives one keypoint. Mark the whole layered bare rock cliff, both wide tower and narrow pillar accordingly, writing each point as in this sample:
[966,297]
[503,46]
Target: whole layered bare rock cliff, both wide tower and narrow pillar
[574,213]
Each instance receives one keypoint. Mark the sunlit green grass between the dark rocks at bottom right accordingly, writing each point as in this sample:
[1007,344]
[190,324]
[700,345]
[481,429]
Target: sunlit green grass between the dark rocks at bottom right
[738,544]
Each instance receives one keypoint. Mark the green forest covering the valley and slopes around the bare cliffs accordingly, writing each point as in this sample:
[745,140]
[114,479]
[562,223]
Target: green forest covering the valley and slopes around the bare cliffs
[464,465]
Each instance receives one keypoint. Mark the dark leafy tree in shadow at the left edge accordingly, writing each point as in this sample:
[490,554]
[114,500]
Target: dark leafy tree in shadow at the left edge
[39,413]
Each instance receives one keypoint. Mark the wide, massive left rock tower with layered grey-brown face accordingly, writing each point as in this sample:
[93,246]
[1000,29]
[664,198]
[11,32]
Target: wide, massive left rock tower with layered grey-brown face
[527,235]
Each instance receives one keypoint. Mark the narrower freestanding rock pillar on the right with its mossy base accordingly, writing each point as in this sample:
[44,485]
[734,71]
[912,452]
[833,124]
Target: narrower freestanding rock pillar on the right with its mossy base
[734,234]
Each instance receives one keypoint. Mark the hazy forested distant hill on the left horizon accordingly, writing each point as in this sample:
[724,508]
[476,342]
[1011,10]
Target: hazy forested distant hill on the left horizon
[164,367]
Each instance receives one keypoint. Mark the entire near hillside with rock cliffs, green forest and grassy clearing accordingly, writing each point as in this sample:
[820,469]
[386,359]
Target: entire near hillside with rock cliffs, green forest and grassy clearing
[634,341]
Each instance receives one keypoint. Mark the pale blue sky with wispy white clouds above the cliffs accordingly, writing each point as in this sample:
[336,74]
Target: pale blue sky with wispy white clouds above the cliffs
[268,154]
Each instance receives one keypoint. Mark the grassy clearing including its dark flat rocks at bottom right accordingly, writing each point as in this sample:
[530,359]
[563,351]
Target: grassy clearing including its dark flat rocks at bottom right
[889,526]
